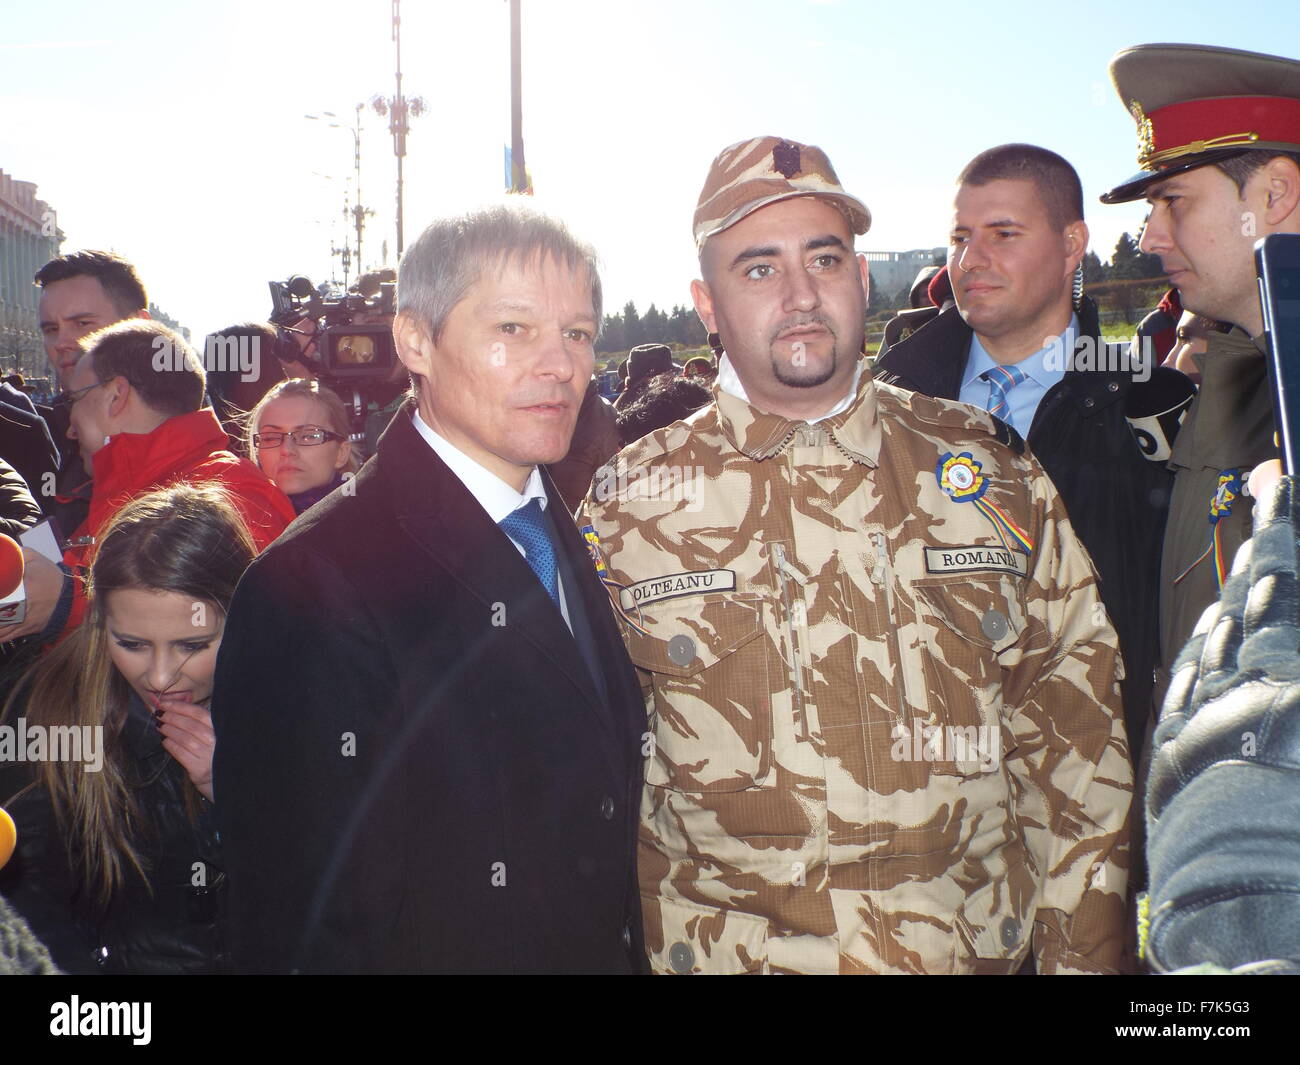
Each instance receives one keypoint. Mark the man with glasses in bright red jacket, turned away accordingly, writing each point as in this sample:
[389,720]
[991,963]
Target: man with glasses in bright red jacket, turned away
[137,414]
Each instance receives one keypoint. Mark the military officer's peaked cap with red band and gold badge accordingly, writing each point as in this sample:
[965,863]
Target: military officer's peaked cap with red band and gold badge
[1198,105]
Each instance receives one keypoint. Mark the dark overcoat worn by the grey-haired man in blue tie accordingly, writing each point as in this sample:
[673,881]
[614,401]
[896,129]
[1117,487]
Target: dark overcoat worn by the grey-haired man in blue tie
[418,767]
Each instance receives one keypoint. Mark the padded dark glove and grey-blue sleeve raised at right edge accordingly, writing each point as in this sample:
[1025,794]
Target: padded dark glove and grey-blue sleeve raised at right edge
[1224,799]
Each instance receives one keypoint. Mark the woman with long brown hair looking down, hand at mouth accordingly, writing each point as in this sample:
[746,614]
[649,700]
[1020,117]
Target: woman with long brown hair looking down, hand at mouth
[118,867]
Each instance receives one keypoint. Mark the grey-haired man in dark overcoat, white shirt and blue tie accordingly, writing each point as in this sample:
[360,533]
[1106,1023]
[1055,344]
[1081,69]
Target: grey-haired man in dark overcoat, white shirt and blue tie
[430,737]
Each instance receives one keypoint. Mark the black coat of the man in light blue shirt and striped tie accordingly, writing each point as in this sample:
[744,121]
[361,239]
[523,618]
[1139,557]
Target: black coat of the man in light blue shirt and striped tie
[1117,499]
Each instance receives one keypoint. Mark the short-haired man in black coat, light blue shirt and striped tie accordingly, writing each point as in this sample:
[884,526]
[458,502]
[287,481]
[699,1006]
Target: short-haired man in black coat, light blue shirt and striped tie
[1021,344]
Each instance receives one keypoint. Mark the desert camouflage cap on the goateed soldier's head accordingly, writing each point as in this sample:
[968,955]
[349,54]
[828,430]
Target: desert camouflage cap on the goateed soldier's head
[765,170]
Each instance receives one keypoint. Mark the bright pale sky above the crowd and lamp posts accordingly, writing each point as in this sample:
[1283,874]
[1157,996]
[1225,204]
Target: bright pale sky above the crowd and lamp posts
[174,131]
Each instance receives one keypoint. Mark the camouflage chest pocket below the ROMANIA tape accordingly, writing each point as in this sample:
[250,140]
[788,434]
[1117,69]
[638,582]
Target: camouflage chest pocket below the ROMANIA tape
[968,625]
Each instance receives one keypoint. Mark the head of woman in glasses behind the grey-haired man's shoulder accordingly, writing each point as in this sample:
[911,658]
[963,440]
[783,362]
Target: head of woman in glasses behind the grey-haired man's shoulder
[300,438]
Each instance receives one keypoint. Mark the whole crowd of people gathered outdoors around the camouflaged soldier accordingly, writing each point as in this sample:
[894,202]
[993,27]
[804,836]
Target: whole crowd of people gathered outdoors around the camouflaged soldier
[787,661]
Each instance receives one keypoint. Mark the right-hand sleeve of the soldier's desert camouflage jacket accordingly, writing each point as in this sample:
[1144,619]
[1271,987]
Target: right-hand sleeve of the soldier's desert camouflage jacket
[1071,759]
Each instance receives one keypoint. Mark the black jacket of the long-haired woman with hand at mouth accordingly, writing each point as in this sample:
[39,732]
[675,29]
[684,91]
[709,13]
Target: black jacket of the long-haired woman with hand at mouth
[175,925]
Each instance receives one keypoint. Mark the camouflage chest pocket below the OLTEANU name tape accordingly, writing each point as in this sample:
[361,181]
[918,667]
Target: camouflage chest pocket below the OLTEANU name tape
[708,660]
